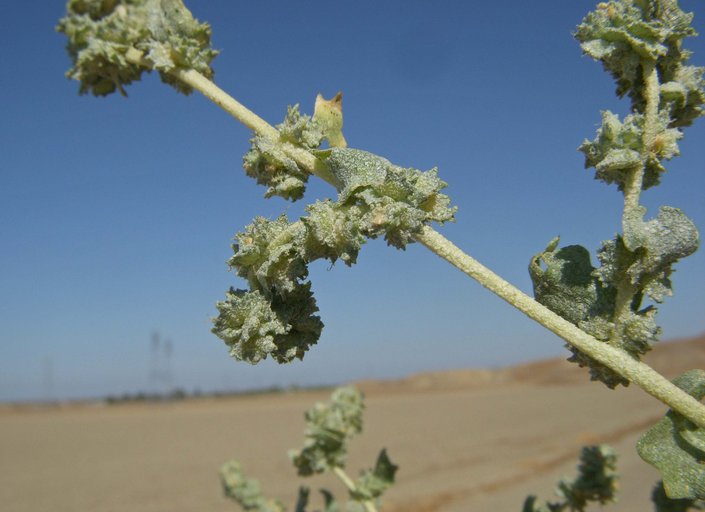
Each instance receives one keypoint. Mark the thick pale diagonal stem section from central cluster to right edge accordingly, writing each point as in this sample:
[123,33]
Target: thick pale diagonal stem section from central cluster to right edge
[617,360]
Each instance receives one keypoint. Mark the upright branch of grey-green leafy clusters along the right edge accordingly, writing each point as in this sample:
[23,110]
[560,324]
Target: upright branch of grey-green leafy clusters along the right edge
[640,43]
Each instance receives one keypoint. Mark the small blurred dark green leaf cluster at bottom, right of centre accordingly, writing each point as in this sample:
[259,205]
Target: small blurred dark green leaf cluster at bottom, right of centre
[596,482]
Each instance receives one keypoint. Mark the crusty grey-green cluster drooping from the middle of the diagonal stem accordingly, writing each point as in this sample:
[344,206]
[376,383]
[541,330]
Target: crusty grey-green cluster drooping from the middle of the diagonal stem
[276,316]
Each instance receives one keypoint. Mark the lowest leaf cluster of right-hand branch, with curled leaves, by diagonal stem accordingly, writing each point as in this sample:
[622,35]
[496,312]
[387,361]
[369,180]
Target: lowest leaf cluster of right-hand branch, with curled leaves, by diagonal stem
[565,281]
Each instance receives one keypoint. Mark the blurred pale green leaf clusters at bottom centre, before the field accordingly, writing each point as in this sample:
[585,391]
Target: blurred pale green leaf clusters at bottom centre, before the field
[329,428]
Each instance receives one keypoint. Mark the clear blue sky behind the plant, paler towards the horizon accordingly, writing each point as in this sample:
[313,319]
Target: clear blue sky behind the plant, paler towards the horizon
[116,215]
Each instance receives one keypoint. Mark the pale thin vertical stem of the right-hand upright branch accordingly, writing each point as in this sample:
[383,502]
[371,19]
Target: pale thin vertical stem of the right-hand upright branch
[634,184]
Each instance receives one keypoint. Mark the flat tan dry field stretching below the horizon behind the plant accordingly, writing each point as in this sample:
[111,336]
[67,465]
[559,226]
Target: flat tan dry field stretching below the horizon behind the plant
[464,440]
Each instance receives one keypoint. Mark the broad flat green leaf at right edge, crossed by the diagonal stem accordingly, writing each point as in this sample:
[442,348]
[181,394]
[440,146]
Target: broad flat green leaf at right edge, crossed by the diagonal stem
[676,446]
